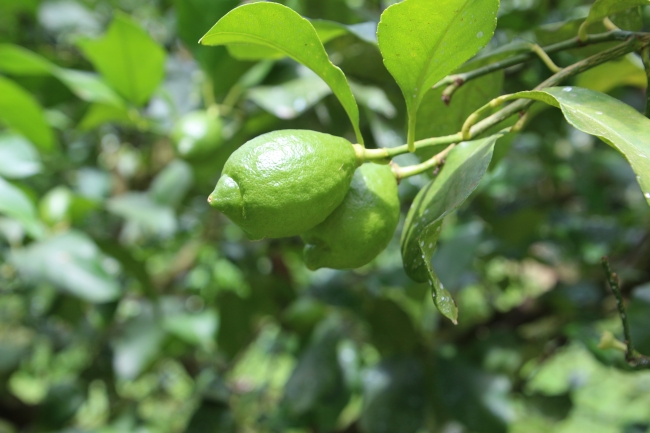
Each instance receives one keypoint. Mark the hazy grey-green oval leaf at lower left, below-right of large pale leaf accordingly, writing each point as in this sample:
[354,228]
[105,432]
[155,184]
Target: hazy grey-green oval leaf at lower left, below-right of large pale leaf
[137,346]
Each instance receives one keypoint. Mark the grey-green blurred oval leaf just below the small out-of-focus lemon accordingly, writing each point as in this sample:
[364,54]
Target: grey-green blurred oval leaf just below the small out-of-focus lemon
[170,186]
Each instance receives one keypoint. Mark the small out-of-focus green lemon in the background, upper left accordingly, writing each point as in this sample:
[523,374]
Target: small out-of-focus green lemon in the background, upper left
[197,134]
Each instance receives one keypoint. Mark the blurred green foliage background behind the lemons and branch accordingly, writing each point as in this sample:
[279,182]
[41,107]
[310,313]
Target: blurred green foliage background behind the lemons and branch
[128,305]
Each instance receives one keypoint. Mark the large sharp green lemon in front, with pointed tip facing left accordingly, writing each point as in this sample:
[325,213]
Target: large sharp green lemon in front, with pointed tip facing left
[285,182]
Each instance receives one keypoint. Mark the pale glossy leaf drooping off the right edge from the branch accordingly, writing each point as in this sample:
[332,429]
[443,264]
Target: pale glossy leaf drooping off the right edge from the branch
[609,119]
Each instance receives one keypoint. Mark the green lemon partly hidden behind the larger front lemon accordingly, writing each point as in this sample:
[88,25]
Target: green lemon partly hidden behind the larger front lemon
[361,227]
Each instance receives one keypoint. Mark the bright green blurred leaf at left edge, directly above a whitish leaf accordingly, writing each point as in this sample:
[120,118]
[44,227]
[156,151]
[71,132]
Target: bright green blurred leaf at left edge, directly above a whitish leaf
[22,113]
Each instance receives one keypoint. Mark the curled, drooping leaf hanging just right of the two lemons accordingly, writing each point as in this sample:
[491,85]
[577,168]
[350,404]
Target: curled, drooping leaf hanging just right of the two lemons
[461,174]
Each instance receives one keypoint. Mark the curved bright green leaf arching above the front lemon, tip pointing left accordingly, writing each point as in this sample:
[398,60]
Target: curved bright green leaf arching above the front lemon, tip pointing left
[278,27]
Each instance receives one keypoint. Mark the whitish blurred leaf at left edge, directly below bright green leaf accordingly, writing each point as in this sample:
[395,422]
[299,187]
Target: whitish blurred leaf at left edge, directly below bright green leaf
[18,157]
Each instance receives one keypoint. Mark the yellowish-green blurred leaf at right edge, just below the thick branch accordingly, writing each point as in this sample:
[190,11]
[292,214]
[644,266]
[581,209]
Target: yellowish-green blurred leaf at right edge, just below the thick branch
[626,71]
